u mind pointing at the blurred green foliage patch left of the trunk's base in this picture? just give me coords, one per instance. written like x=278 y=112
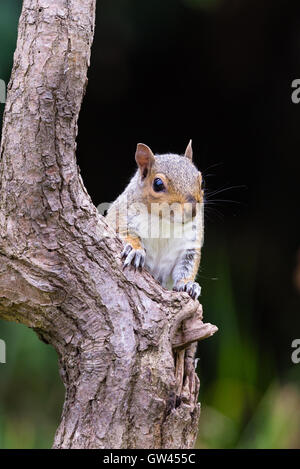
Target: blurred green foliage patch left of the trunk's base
x=31 y=392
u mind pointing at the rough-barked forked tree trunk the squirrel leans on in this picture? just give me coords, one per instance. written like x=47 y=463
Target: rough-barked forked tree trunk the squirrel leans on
x=60 y=272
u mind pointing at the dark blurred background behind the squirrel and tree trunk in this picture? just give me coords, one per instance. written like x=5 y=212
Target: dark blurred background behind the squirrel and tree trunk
x=219 y=72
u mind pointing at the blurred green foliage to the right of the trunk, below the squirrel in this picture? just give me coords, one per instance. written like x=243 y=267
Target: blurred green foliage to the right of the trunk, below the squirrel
x=246 y=403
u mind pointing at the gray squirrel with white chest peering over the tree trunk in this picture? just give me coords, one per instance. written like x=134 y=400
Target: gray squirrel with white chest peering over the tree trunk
x=160 y=218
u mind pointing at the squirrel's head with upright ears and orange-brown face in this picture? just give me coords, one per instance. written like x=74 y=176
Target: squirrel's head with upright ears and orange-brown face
x=168 y=178
